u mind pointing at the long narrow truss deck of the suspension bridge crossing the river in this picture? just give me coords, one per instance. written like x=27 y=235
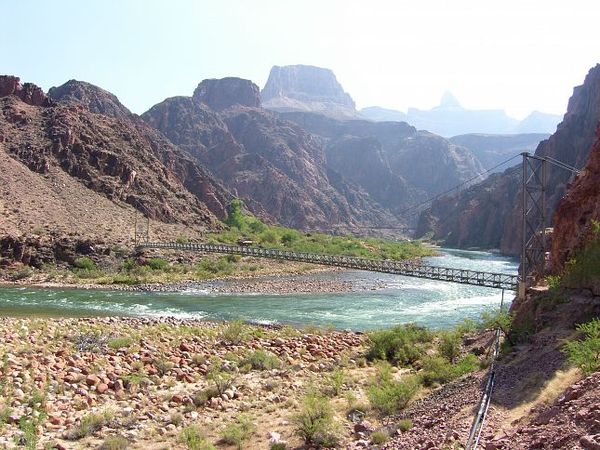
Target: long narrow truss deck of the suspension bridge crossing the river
x=406 y=268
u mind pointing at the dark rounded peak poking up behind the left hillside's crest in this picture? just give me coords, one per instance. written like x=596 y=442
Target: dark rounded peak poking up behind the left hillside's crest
x=93 y=98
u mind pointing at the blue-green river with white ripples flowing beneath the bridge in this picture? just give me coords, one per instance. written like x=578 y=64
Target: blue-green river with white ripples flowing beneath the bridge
x=400 y=300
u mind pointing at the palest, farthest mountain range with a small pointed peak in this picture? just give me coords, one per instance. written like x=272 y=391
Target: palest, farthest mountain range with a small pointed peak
x=451 y=119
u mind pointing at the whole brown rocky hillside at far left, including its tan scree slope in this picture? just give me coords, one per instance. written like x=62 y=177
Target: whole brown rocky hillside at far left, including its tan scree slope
x=71 y=175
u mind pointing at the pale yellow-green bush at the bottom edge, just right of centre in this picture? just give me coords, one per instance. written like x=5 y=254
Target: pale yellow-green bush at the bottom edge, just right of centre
x=315 y=423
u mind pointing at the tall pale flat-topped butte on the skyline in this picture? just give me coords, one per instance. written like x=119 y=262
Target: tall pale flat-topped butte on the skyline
x=307 y=88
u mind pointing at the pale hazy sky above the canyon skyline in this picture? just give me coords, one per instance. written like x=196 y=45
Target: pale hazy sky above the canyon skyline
x=517 y=55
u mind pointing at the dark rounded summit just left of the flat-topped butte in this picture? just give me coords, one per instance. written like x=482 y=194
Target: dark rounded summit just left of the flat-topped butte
x=219 y=94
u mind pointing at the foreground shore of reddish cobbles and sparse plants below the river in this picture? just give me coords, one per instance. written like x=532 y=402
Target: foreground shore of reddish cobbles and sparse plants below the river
x=145 y=380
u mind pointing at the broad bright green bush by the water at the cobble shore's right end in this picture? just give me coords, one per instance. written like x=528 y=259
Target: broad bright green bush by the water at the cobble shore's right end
x=403 y=344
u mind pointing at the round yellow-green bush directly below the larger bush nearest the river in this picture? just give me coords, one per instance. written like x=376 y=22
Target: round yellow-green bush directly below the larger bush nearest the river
x=388 y=396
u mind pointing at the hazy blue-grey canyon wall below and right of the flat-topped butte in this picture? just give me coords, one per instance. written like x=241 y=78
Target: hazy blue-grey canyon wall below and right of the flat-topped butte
x=392 y=161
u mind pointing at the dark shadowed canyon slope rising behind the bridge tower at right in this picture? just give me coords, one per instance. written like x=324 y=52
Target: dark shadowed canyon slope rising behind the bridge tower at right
x=489 y=213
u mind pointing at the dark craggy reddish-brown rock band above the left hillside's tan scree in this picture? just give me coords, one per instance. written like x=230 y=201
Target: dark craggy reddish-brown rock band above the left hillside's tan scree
x=126 y=161
